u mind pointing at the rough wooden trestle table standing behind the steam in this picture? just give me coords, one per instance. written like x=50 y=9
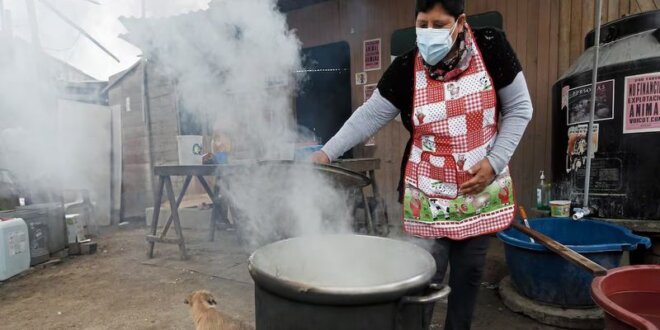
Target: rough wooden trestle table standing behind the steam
x=366 y=166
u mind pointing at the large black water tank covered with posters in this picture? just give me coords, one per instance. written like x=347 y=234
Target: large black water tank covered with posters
x=625 y=178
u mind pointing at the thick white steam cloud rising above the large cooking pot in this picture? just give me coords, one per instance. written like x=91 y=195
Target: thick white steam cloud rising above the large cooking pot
x=237 y=70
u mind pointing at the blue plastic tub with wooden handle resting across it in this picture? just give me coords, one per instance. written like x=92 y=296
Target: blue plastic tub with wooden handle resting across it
x=544 y=276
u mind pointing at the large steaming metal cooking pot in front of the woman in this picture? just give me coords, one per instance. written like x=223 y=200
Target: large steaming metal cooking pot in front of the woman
x=343 y=282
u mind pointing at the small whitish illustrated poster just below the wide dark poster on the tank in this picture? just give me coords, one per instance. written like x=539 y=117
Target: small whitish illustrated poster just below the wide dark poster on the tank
x=576 y=153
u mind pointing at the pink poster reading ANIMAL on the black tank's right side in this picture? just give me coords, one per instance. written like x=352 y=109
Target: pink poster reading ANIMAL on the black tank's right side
x=642 y=103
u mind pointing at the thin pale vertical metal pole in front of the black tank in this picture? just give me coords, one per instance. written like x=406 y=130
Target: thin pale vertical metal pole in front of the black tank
x=592 y=105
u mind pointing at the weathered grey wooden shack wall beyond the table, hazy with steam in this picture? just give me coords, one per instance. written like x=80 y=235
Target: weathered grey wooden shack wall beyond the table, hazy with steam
x=137 y=183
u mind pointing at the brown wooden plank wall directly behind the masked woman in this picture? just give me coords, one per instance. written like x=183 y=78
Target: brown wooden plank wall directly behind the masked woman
x=548 y=35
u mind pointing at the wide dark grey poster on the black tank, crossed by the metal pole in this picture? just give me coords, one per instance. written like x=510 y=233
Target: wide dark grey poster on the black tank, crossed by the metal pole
x=579 y=99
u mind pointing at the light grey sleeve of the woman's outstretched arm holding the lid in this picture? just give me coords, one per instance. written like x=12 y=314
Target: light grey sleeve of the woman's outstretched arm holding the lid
x=364 y=123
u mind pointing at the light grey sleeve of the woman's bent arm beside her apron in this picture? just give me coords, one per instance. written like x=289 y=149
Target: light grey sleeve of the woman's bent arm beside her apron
x=516 y=112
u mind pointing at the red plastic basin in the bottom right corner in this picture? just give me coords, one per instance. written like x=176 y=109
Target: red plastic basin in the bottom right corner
x=630 y=297
